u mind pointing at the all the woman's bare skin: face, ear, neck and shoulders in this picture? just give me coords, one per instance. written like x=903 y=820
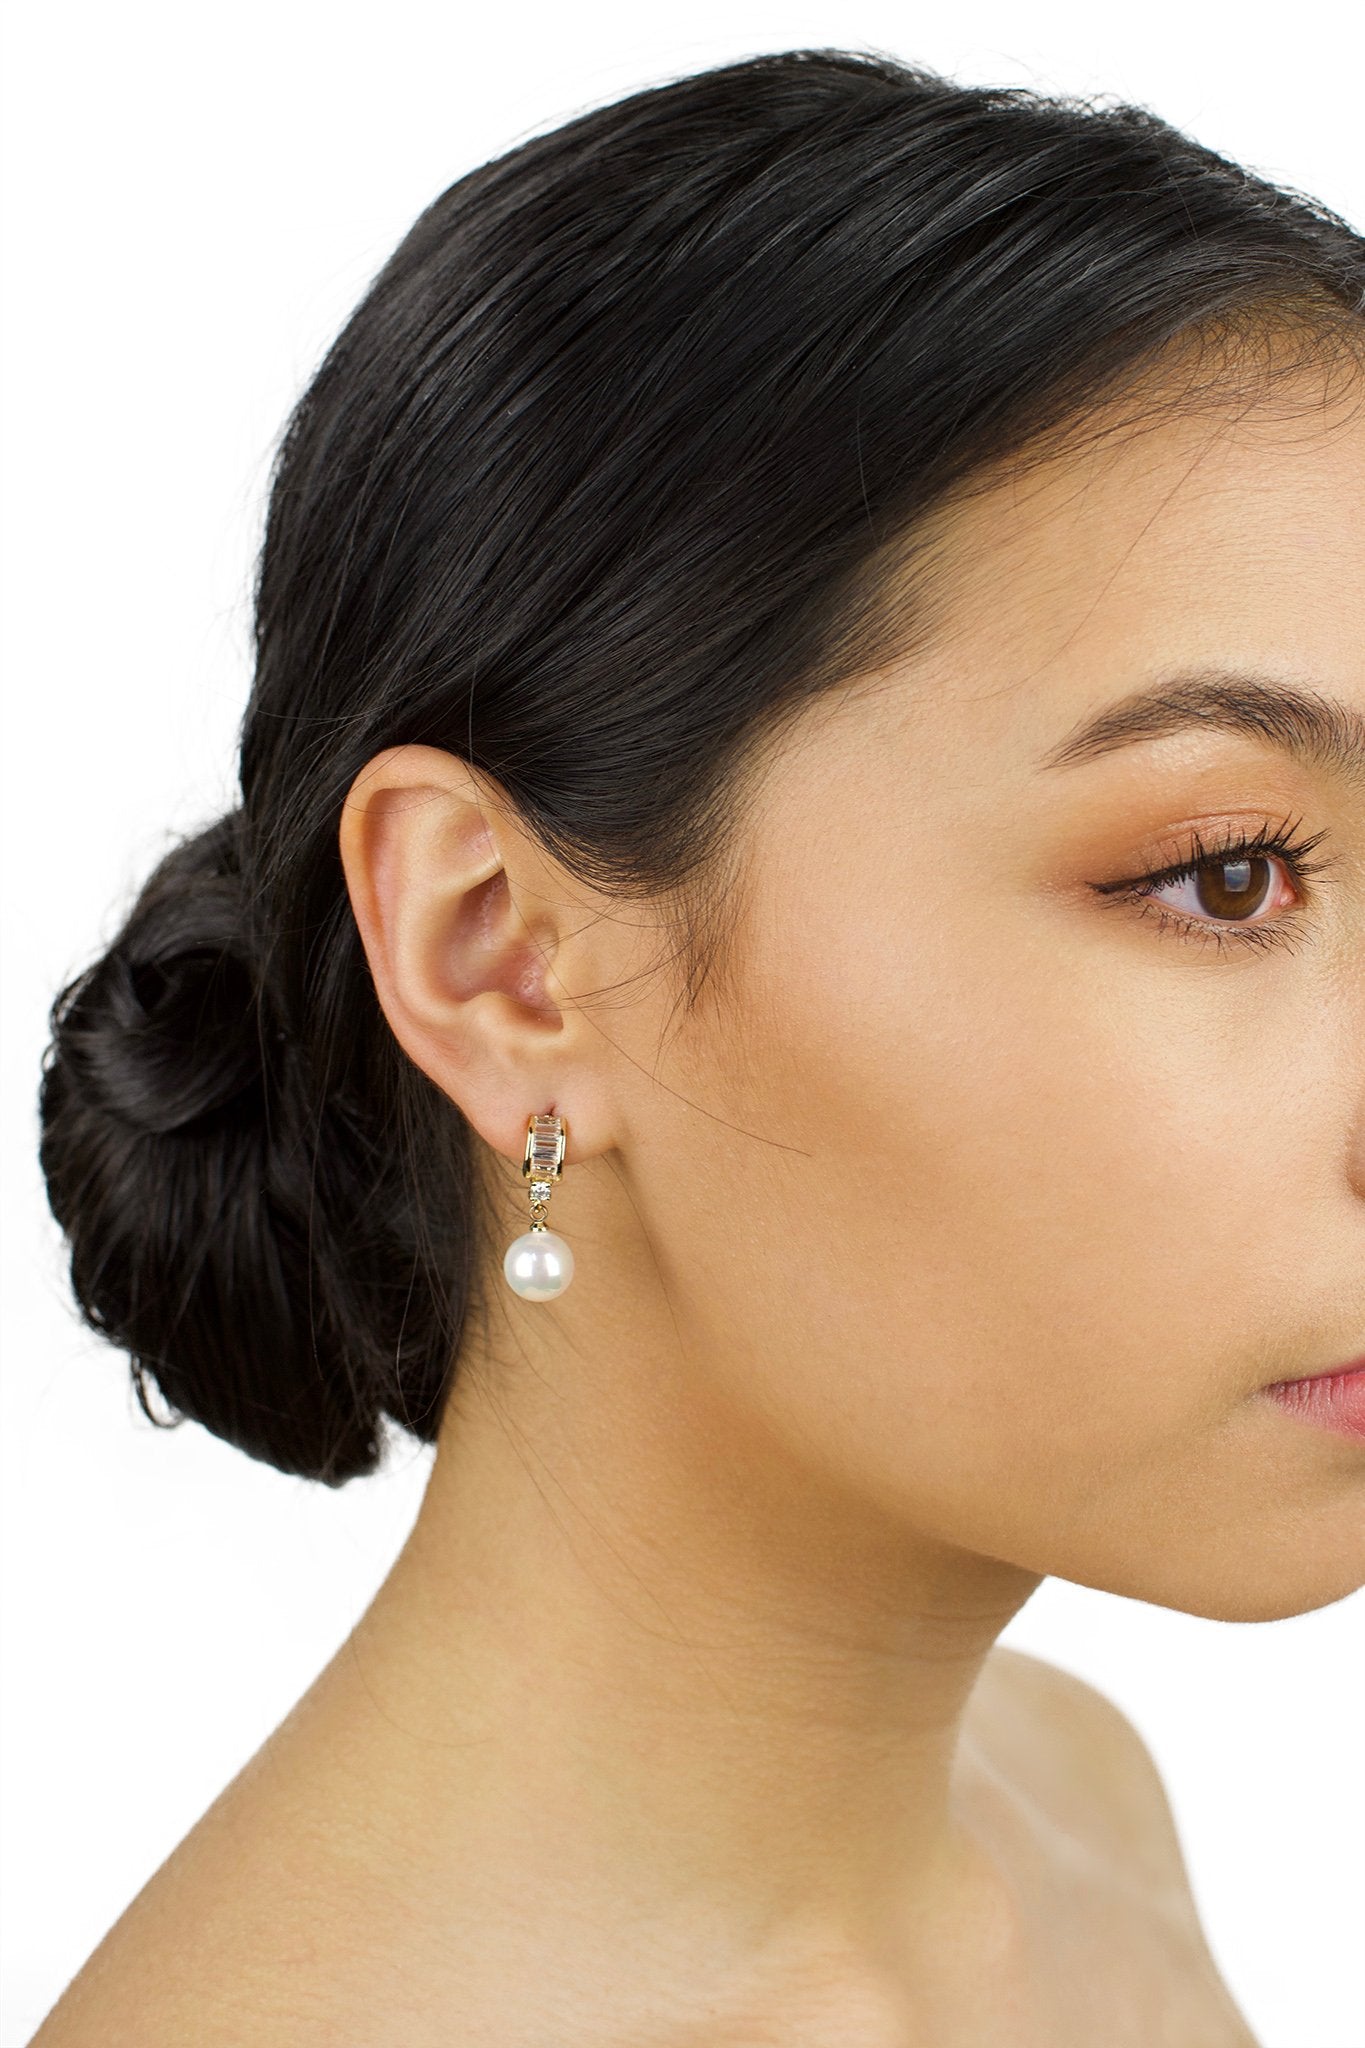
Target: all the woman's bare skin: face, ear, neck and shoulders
x=951 y=1248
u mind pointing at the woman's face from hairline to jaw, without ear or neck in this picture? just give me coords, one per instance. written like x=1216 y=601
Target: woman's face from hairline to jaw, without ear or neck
x=1006 y=1191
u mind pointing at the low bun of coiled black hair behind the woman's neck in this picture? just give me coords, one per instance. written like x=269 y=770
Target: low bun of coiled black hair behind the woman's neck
x=234 y=1228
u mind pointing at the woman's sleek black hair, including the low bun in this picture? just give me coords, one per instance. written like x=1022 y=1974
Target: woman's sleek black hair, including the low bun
x=623 y=458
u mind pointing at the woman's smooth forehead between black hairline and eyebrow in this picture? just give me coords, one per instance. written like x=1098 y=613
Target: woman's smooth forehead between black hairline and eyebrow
x=1231 y=534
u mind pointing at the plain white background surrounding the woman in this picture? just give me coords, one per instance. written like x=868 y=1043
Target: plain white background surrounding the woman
x=195 y=200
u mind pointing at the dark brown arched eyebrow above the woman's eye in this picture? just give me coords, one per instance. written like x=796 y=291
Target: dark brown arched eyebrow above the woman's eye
x=1313 y=728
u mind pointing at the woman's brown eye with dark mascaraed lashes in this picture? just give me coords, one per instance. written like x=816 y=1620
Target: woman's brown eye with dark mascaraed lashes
x=1229 y=894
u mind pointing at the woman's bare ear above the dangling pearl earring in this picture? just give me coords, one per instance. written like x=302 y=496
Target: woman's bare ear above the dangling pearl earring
x=470 y=929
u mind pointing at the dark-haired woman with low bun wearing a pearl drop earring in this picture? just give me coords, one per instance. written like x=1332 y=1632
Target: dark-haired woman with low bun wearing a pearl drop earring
x=785 y=988
